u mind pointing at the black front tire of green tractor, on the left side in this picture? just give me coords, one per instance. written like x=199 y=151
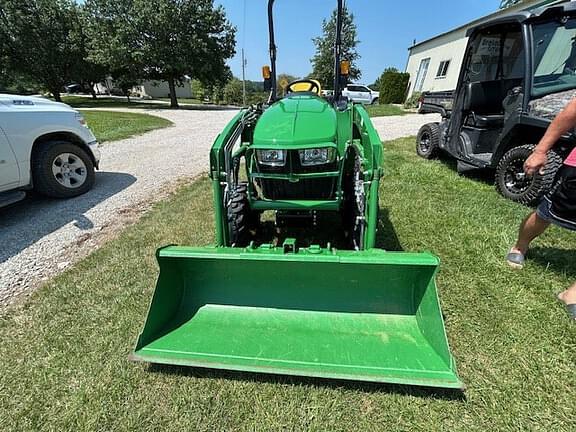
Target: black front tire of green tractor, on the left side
x=242 y=221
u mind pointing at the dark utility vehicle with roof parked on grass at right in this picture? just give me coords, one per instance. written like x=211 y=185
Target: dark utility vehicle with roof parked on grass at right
x=519 y=71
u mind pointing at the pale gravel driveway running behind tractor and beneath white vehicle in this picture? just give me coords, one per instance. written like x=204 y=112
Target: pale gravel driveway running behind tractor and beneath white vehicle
x=41 y=237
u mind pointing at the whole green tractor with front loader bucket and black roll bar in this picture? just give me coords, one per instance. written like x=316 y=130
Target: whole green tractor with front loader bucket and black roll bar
x=297 y=307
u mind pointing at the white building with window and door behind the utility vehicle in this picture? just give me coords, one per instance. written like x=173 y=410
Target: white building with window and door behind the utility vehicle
x=434 y=65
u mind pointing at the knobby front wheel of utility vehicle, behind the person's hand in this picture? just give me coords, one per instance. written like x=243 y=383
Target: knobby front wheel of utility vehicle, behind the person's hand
x=514 y=184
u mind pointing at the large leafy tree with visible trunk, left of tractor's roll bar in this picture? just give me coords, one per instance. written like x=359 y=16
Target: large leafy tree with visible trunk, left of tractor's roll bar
x=163 y=40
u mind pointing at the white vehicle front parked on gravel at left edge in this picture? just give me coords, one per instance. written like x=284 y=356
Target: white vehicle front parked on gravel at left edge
x=45 y=146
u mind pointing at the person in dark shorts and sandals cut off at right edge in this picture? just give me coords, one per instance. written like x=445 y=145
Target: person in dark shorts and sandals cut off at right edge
x=557 y=207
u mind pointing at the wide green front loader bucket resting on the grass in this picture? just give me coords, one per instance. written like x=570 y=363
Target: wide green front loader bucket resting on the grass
x=366 y=316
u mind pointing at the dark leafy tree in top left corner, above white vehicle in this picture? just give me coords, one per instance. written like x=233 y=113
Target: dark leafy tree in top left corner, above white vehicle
x=40 y=41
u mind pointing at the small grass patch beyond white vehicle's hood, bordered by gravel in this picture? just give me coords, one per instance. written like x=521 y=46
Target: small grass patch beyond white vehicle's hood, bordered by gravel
x=114 y=125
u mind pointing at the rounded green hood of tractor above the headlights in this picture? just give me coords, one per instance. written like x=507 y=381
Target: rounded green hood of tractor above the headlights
x=299 y=121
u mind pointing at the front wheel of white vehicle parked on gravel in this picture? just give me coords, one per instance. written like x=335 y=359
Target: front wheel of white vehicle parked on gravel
x=61 y=169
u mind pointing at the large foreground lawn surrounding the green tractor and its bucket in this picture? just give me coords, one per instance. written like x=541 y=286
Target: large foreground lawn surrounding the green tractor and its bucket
x=64 y=353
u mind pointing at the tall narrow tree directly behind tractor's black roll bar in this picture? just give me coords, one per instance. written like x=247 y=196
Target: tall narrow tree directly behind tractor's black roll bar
x=323 y=60
